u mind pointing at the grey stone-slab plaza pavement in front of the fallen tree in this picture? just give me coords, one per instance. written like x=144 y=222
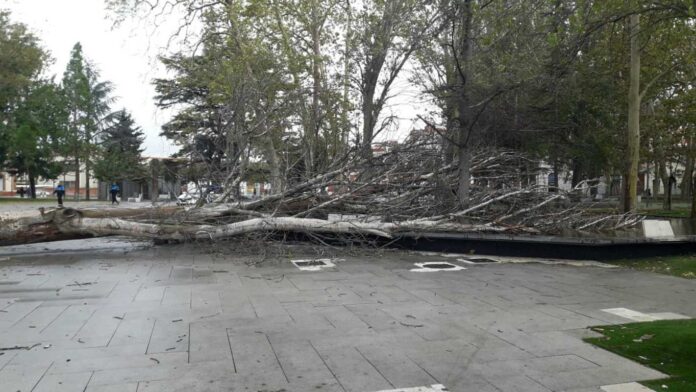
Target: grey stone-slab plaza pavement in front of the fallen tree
x=182 y=318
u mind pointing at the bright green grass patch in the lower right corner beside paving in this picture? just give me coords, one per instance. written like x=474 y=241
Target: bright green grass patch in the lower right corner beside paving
x=667 y=346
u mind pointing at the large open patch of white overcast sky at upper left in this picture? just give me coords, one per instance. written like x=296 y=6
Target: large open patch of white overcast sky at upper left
x=126 y=56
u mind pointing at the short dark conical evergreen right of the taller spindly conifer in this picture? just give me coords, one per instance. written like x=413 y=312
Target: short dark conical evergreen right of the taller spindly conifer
x=120 y=151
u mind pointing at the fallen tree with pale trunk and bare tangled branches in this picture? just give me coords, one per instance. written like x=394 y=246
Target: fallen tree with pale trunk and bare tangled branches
x=407 y=190
